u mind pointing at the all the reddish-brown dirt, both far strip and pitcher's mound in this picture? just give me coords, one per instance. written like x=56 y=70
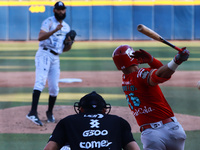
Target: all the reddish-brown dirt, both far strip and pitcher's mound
x=13 y=120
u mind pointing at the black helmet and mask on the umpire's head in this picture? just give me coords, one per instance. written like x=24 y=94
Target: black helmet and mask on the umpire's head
x=92 y=103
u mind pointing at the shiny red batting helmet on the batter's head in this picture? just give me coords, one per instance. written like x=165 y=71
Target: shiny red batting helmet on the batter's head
x=121 y=57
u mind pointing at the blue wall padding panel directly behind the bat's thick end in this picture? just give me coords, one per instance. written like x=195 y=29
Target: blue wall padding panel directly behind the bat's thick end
x=142 y=15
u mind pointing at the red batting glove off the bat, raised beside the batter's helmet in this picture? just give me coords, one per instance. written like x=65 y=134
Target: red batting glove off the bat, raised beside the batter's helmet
x=142 y=56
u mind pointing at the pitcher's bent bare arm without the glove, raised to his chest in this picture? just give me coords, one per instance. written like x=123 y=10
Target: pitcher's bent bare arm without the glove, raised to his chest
x=43 y=35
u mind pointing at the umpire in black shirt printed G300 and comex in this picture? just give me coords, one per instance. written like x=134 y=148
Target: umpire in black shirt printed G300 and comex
x=92 y=128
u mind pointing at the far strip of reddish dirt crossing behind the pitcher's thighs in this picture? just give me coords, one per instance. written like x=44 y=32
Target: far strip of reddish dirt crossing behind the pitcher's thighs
x=94 y=79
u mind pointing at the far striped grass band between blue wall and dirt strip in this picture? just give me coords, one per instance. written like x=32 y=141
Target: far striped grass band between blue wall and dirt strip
x=89 y=56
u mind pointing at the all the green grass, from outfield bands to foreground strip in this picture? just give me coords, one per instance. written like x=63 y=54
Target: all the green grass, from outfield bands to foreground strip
x=92 y=56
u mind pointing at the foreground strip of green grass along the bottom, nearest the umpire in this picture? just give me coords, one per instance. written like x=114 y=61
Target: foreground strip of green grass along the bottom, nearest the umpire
x=38 y=141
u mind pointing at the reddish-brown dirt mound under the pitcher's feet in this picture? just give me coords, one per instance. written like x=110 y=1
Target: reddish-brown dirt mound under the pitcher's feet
x=13 y=120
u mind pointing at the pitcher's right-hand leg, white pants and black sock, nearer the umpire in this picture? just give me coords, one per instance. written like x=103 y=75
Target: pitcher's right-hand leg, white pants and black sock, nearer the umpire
x=53 y=78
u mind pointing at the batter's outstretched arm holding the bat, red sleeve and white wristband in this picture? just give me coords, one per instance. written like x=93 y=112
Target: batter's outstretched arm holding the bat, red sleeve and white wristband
x=164 y=73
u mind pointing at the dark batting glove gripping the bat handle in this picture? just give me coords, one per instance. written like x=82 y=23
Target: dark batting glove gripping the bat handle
x=181 y=56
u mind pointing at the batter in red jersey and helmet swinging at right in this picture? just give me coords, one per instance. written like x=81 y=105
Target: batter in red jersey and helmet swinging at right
x=160 y=128
